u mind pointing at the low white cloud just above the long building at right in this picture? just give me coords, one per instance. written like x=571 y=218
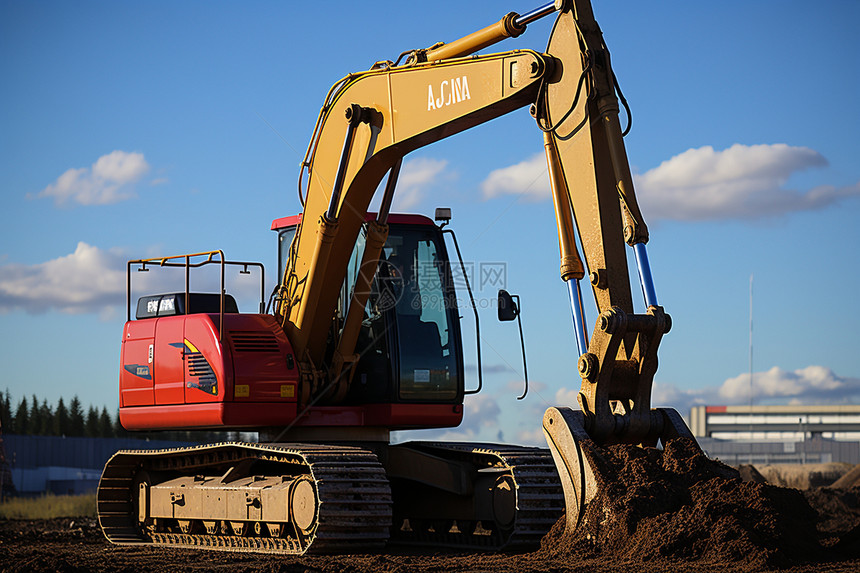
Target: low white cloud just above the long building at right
x=810 y=385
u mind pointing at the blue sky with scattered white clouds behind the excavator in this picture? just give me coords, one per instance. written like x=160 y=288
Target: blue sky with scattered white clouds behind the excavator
x=130 y=130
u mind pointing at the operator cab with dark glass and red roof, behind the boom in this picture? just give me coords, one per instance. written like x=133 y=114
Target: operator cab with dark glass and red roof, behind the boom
x=409 y=343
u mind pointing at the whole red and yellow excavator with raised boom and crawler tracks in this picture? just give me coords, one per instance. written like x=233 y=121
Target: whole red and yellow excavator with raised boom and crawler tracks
x=361 y=336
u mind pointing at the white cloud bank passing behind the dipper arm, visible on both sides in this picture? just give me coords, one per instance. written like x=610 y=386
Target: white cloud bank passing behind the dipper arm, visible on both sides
x=741 y=182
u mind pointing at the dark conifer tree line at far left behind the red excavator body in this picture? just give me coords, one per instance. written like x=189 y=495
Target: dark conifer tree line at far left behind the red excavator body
x=34 y=417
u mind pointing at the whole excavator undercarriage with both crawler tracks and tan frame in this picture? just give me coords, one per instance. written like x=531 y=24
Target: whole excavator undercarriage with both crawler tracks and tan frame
x=299 y=498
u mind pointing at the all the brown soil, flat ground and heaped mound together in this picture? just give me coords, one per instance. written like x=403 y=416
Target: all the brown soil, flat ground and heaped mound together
x=662 y=511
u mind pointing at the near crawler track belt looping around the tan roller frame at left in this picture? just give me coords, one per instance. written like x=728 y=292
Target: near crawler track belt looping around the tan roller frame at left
x=353 y=498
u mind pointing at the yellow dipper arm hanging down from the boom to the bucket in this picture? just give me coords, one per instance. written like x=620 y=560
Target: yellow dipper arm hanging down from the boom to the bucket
x=579 y=114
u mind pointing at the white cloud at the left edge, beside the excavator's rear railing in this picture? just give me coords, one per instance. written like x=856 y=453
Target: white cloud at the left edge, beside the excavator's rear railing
x=87 y=280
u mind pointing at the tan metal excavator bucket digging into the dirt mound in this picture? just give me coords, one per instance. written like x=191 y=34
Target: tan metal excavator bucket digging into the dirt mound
x=577 y=457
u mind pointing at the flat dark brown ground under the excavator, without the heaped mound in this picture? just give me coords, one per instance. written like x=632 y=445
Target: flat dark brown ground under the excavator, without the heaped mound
x=66 y=545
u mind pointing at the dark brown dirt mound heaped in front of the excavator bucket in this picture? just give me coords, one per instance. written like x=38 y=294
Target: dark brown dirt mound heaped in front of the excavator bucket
x=679 y=505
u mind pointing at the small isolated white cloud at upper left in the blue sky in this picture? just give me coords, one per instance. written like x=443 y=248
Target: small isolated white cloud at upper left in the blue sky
x=109 y=180
